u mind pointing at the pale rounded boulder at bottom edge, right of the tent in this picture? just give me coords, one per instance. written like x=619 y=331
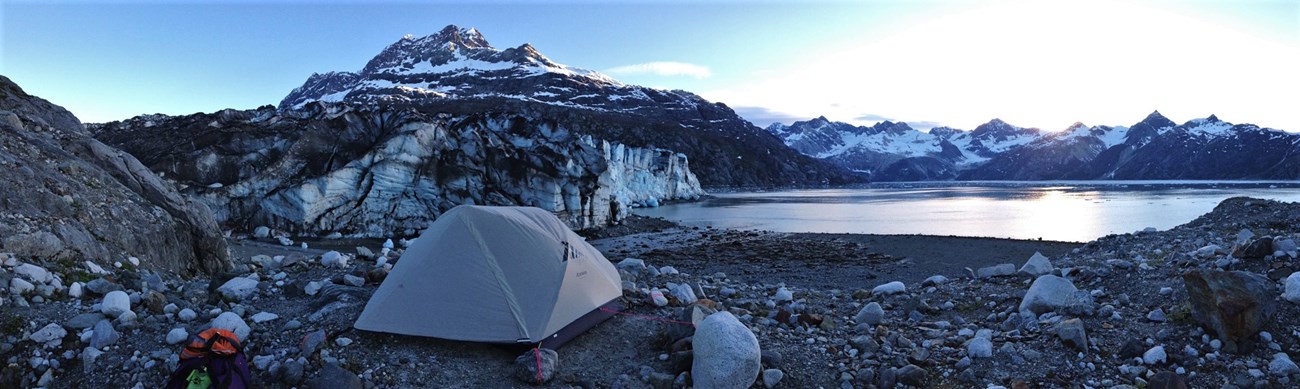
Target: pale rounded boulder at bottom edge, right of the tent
x=726 y=353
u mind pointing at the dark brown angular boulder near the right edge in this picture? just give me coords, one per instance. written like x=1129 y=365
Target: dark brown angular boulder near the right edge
x=1234 y=305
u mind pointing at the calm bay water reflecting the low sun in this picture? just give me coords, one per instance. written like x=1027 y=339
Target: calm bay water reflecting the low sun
x=1058 y=211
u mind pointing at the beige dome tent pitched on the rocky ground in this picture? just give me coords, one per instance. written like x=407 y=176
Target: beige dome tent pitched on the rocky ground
x=502 y=275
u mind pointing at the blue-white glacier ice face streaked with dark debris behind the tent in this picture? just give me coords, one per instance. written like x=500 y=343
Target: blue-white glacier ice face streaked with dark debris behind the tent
x=378 y=174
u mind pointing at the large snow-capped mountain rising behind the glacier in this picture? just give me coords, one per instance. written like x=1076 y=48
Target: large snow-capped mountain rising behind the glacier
x=458 y=72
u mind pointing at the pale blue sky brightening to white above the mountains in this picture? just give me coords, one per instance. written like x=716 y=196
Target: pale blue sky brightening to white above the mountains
x=1042 y=64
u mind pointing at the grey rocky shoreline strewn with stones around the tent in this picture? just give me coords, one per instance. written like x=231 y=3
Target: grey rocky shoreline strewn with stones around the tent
x=848 y=312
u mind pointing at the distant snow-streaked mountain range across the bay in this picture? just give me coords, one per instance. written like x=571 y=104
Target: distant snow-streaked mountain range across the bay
x=1154 y=149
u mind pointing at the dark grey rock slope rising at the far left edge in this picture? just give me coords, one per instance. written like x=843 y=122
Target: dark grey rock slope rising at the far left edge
x=71 y=198
